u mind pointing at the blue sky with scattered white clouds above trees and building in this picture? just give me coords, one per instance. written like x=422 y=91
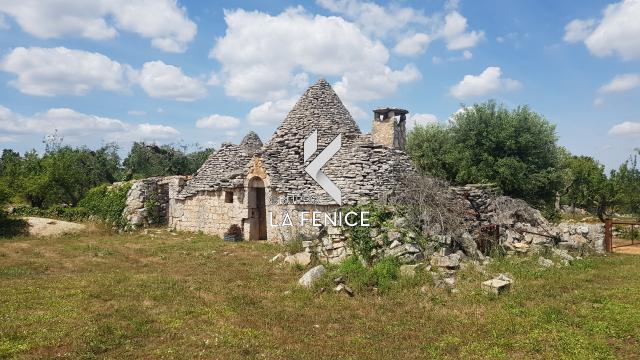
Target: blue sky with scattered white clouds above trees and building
x=209 y=71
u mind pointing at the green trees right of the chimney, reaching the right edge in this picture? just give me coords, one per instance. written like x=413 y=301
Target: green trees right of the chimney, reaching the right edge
x=518 y=151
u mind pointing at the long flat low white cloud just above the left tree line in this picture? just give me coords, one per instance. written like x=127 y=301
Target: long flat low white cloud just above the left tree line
x=71 y=122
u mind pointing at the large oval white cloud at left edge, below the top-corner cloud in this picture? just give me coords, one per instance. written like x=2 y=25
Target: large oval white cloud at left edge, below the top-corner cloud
x=60 y=71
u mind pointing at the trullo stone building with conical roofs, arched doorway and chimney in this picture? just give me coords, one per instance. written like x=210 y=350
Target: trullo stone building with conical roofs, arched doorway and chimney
x=256 y=186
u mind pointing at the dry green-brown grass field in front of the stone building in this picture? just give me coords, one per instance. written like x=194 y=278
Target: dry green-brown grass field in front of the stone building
x=180 y=296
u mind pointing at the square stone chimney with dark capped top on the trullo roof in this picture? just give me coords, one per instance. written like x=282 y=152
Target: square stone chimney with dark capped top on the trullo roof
x=389 y=127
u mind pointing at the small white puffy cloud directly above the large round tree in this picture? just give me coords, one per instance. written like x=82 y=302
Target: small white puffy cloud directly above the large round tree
x=489 y=81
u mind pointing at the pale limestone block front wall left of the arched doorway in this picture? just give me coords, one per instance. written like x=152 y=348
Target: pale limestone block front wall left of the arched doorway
x=210 y=212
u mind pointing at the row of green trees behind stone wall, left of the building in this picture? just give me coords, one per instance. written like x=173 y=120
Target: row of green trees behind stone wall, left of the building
x=63 y=174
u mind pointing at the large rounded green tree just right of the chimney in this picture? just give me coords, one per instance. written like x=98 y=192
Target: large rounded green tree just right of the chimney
x=487 y=143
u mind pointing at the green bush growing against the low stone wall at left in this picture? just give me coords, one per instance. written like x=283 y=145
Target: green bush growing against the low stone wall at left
x=107 y=203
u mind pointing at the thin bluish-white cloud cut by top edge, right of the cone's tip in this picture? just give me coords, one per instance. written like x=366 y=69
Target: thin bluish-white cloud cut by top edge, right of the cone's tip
x=373 y=18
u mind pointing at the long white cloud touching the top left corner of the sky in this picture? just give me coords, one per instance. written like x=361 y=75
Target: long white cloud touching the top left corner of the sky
x=162 y=21
